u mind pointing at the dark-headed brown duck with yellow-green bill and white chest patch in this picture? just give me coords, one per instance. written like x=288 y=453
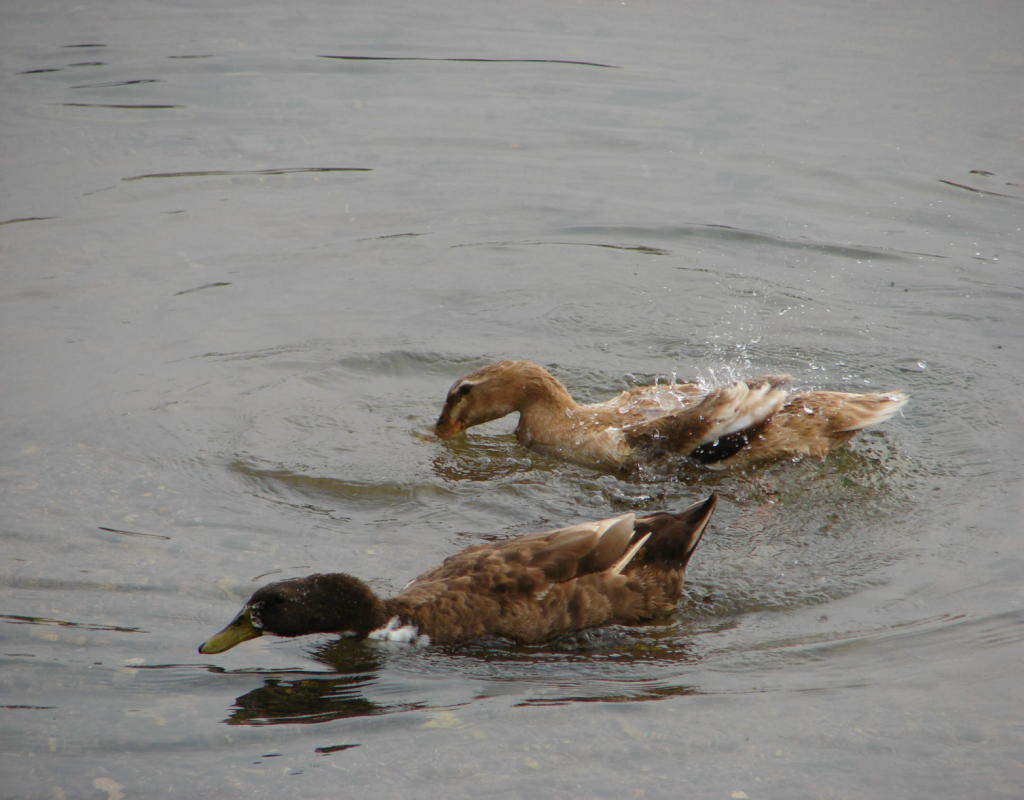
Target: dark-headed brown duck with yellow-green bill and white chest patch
x=625 y=570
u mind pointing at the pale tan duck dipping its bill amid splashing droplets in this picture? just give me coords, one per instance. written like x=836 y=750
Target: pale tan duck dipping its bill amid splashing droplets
x=727 y=427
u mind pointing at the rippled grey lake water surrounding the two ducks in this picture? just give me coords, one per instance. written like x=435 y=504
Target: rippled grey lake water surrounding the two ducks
x=248 y=247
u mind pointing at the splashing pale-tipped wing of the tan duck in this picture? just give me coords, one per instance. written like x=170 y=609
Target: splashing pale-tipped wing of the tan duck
x=724 y=411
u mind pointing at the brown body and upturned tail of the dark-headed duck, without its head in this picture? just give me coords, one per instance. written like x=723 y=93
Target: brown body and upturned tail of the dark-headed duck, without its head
x=541 y=585
